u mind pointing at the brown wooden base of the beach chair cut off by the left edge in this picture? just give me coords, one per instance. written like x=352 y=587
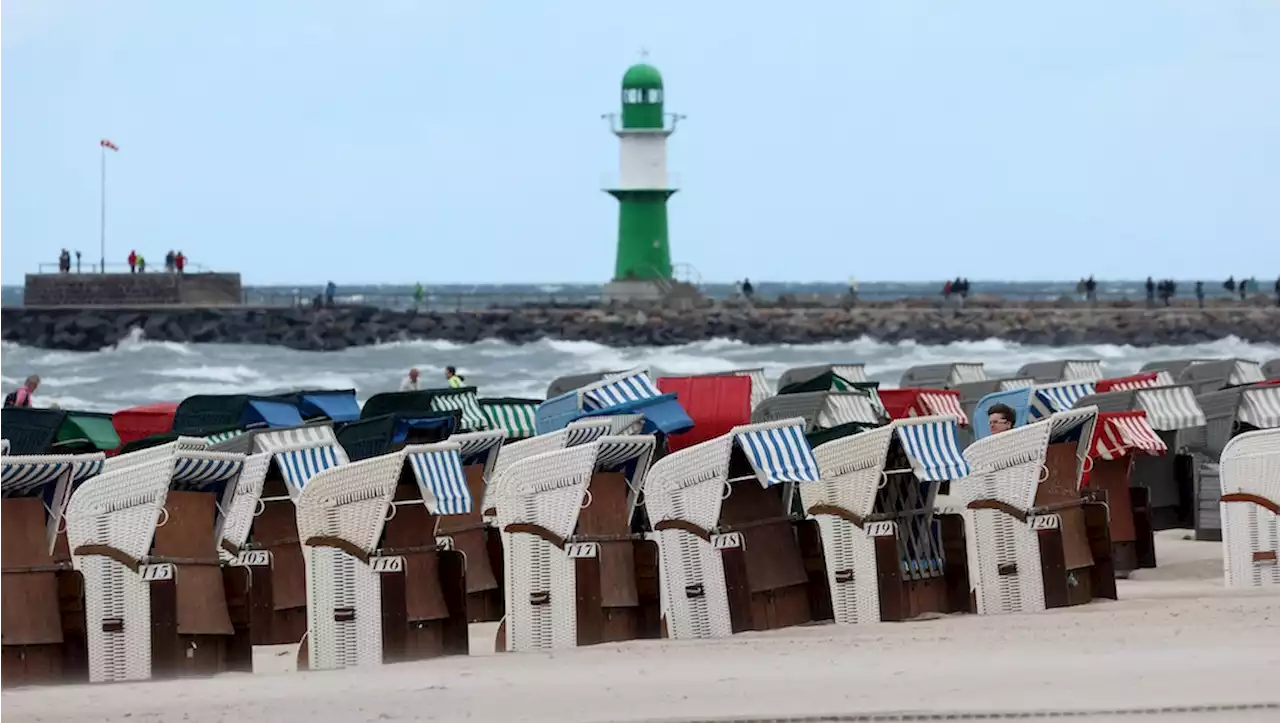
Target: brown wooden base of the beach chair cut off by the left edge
x=42 y=603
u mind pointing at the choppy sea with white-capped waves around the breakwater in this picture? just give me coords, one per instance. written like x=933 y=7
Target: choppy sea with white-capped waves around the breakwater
x=141 y=372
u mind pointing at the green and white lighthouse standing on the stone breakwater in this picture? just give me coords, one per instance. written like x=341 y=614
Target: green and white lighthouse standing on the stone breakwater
x=643 y=268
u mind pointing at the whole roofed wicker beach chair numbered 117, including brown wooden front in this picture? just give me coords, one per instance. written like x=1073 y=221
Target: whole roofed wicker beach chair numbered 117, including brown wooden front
x=577 y=573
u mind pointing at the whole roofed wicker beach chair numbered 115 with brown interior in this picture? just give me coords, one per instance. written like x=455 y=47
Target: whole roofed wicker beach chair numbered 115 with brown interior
x=145 y=537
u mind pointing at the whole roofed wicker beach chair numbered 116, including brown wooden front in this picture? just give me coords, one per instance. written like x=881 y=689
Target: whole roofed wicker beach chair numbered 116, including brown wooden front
x=381 y=587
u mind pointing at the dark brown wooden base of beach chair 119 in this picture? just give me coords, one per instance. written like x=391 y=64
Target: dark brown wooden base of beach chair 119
x=903 y=598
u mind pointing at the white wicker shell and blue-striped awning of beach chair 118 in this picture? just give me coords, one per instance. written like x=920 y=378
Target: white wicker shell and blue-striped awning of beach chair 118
x=683 y=496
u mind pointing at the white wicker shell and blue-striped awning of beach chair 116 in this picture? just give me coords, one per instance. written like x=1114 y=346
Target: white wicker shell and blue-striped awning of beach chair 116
x=342 y=512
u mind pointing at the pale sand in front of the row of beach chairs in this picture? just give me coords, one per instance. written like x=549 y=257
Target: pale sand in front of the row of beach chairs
x=1177 y=638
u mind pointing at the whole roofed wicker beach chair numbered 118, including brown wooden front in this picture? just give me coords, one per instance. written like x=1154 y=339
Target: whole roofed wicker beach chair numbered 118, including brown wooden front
x=732 y=555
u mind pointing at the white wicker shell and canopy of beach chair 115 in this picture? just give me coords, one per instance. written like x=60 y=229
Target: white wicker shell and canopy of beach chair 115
x=112 y=523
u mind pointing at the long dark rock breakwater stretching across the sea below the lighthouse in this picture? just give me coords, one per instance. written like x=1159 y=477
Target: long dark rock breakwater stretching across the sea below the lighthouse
x=924 y=322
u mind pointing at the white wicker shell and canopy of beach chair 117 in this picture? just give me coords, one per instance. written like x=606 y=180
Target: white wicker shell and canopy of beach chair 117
x=540 y=515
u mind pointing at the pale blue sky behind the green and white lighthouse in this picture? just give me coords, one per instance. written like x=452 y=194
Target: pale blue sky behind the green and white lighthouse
x=401 y=141
